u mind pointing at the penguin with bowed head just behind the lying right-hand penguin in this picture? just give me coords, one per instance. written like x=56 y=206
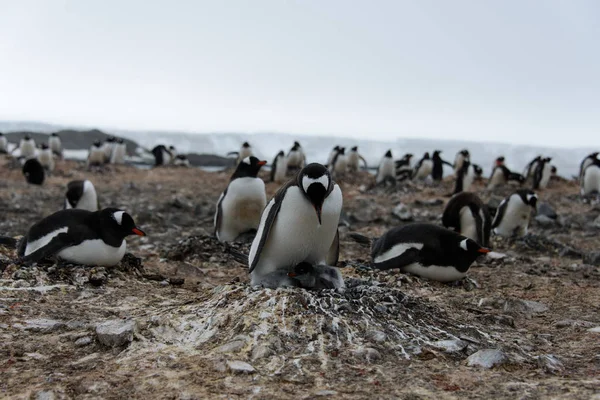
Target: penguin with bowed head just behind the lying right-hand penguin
x=466 y=214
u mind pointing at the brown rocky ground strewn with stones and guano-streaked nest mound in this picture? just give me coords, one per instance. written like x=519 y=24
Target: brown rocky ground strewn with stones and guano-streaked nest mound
x=177 y=319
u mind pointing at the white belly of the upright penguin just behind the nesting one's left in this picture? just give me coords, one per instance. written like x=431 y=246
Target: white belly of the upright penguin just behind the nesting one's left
x=241 y=208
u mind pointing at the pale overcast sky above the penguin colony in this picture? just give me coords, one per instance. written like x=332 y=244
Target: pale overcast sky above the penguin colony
x=511 y=71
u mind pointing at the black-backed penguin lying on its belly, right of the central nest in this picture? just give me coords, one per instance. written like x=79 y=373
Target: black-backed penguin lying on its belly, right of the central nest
x=426 y=250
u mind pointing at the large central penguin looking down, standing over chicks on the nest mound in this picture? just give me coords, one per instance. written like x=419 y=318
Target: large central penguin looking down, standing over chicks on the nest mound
x=300 y=223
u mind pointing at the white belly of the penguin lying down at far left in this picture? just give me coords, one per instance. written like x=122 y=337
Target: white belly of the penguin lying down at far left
x=94 y=252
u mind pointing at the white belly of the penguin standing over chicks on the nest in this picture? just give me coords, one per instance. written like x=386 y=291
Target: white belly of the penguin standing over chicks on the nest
x=296 y=235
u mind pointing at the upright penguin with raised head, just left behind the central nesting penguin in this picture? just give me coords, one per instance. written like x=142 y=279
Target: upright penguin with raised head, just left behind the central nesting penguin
x=240 y=206
